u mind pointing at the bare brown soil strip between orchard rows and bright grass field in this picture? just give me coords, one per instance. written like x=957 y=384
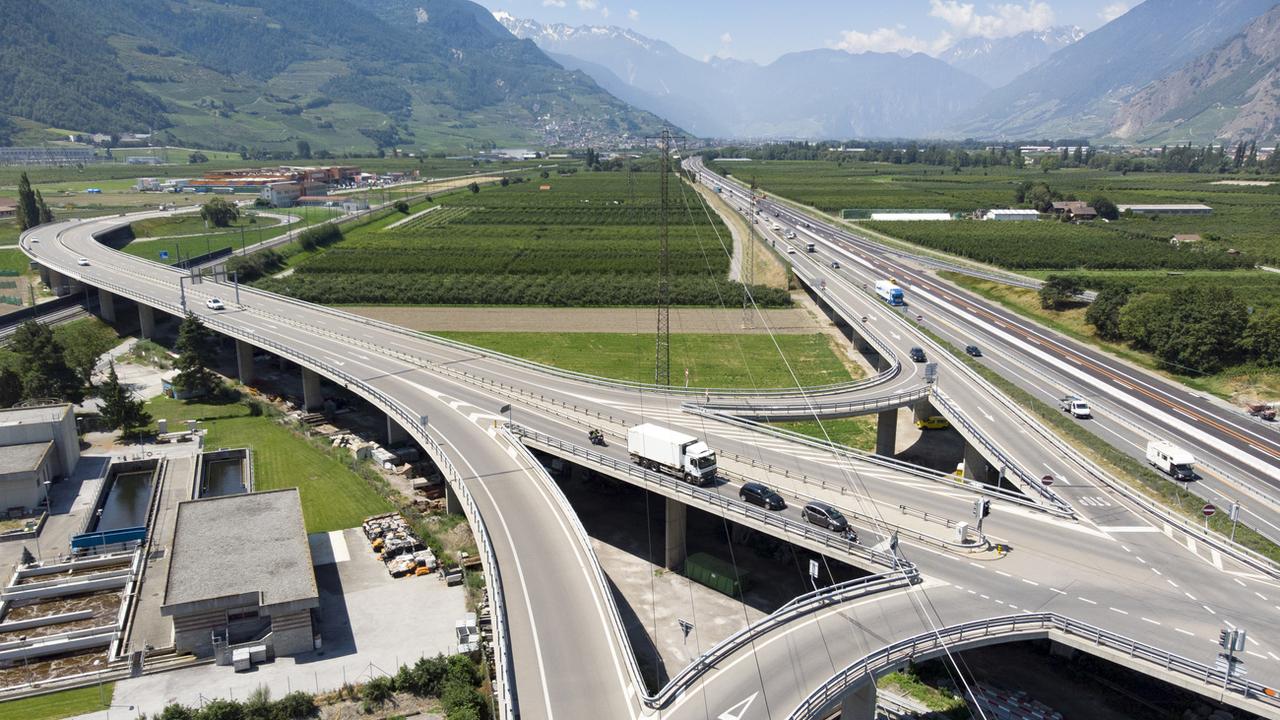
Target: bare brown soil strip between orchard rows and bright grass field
x=589 y=320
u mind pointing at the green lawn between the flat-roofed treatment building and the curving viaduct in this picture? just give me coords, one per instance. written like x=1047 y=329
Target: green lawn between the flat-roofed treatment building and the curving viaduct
x=333 y=496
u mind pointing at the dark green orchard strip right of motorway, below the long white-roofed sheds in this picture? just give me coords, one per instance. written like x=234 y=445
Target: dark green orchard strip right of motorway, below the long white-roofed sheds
x=1052 y=245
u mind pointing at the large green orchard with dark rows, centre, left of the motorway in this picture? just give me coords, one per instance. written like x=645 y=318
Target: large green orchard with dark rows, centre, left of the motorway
x=591 y=240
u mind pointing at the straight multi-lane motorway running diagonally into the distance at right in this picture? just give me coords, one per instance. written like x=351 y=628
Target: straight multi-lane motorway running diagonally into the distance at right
x=1238 y=457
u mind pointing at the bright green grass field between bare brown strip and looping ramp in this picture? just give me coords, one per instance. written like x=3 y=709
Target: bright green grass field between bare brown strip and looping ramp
x=714 y=361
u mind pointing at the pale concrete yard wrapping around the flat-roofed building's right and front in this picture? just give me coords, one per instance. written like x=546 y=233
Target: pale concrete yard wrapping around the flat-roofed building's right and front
x=371 y=625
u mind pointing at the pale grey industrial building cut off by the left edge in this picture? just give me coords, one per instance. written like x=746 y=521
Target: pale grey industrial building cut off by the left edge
x=36 y=445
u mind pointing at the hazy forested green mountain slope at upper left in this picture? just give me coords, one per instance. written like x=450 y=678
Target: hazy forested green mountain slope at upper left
x=267 y=74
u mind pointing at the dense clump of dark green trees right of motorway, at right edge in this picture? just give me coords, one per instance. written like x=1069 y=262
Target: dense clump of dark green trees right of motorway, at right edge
x=1197 y=330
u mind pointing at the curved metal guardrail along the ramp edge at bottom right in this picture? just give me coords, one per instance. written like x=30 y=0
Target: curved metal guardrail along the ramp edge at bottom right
x=853 y=677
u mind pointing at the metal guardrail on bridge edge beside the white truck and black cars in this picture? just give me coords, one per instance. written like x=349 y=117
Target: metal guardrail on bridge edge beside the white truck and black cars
x=785 y=526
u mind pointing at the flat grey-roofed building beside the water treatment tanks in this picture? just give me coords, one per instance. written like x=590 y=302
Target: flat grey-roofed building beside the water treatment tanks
x=241 y=576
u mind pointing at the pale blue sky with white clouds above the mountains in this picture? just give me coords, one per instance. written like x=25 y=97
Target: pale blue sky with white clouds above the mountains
x=762 y=31
